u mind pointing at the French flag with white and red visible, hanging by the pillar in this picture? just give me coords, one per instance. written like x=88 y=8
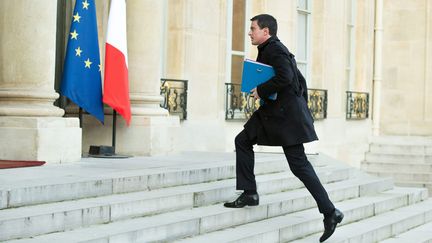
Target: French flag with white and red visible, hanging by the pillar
x=116 y=84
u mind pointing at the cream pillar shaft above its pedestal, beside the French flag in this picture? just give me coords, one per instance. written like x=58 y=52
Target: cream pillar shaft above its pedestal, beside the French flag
x=145 y=49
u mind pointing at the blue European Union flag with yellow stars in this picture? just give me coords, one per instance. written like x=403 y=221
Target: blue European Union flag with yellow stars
x=81 y=81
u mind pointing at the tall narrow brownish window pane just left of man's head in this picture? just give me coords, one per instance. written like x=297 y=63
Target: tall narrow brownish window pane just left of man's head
x=238 y=28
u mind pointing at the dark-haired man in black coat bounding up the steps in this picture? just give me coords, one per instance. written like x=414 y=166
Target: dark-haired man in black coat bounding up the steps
x=285 y=122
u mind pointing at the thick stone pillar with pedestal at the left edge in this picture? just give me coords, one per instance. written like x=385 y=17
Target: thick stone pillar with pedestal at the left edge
x=31 y=127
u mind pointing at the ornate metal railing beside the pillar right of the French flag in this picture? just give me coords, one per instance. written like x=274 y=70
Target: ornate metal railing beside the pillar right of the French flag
x=174 y=92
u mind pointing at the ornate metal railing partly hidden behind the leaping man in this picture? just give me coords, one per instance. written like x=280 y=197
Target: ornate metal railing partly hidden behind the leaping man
x=240 y=105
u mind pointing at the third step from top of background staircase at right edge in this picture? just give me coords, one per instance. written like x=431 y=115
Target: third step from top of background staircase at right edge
x=397 y=158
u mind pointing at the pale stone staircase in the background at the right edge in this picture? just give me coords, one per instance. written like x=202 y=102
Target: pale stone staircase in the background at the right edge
x=408 y=160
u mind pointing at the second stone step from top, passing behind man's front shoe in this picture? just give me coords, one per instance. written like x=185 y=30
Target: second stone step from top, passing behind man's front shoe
x=53 y=217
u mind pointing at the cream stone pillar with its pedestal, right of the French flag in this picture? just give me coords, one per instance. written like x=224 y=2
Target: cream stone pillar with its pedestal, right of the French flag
x=151 y=129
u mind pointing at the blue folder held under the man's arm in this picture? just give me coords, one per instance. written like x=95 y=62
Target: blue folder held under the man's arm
x=254 y=74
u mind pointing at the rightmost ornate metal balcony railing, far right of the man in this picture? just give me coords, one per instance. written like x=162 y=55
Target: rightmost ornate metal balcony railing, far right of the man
x=357 y=105
